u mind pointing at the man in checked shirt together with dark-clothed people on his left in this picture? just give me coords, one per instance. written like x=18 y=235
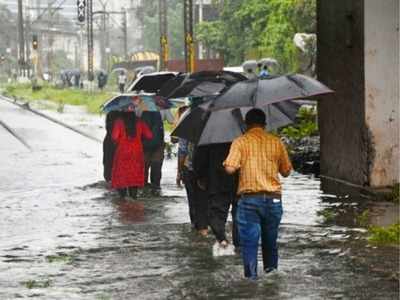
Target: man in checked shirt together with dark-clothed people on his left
x=242 y=176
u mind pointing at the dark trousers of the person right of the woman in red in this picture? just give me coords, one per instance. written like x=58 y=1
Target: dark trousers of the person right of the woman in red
x=153 y=166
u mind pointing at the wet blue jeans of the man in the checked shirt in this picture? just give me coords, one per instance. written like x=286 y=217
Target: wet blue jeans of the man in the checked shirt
x=258 y=216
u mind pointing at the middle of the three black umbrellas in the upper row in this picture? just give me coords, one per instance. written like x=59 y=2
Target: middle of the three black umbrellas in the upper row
x=199 y=84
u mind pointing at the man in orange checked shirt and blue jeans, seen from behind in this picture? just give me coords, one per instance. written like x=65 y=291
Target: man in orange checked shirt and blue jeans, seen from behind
x=259 y=157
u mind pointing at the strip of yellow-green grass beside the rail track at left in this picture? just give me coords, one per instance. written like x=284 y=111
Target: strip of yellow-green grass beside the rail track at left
x=71 y=96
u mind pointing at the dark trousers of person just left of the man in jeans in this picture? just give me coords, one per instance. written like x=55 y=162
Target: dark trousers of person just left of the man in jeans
x=219 y=209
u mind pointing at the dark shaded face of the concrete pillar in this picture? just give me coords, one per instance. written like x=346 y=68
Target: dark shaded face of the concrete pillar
x=340 y=64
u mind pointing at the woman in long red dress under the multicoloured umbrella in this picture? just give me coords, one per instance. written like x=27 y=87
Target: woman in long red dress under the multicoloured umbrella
x=128 y=165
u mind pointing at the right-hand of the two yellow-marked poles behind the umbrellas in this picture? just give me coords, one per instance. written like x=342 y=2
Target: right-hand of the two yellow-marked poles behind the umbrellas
x=188 y=29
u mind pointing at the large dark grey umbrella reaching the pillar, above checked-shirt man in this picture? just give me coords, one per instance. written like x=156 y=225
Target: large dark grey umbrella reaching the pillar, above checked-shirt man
x=261 y=92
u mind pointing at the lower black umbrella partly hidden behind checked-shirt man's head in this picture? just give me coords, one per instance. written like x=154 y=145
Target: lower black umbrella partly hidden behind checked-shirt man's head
x=203 y=127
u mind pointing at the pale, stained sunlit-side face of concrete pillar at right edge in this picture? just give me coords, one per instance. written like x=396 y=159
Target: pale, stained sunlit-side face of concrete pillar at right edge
x=382 y=88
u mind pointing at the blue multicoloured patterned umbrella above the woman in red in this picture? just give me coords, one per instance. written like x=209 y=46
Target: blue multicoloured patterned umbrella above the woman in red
x=142 y=102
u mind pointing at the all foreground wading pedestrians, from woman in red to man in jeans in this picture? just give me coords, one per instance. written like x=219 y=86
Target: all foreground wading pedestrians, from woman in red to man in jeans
x=241 y=177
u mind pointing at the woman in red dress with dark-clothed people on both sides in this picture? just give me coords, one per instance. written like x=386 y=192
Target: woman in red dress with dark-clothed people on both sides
x=133 y=151
